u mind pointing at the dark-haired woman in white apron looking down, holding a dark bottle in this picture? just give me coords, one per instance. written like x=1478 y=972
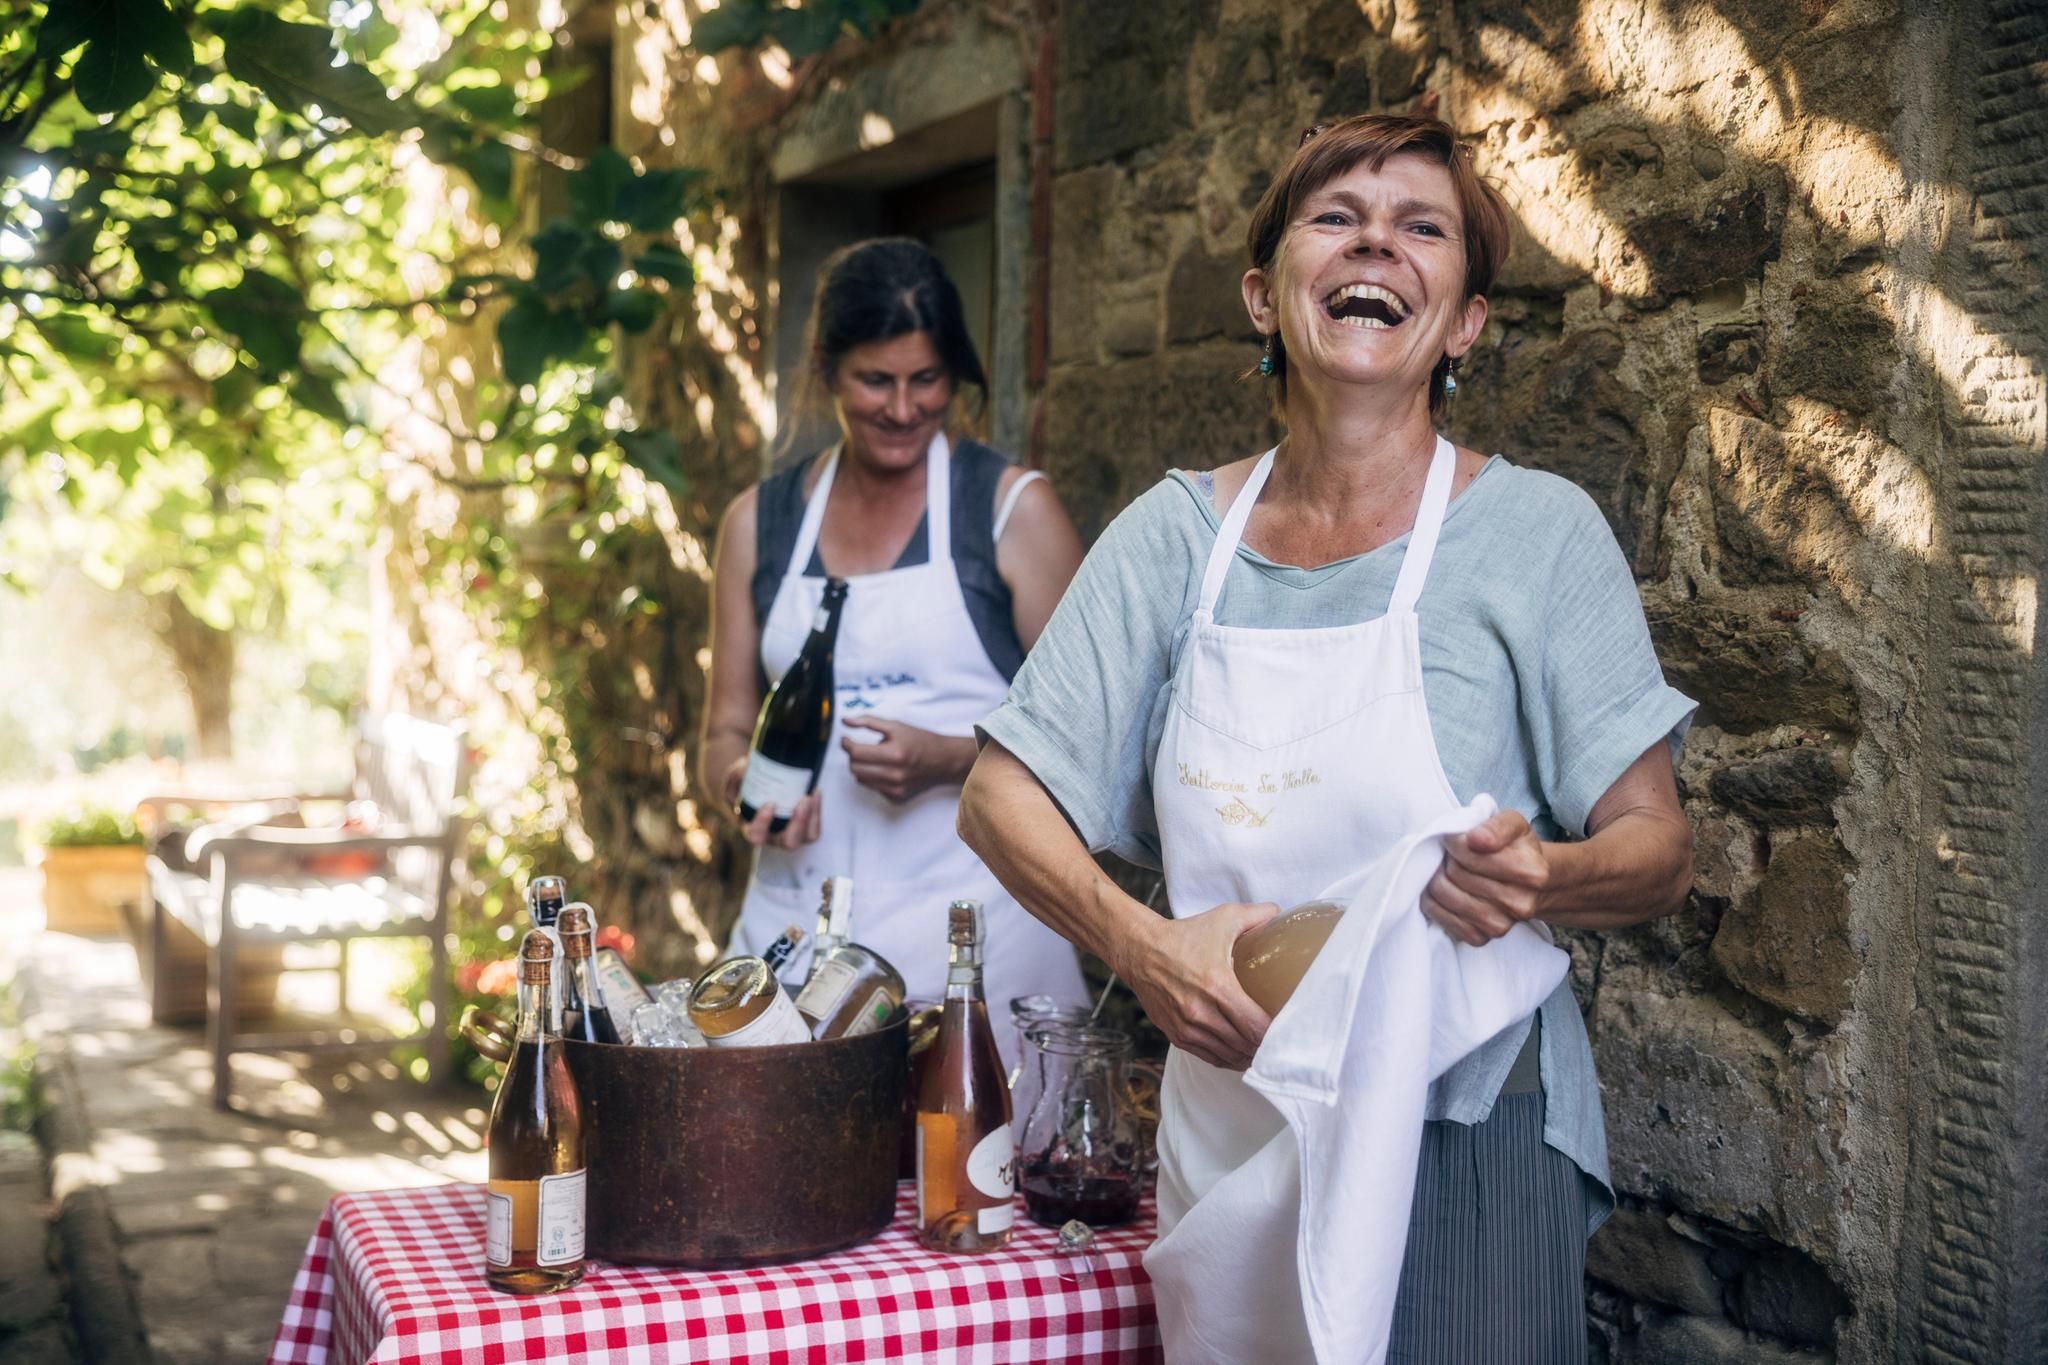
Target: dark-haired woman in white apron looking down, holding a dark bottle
x=955 y=560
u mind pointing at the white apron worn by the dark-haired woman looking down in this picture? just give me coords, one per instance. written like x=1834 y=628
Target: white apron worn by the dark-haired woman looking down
x=908 y=652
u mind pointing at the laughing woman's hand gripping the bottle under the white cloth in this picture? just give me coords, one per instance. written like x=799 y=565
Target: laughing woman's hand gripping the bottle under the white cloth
x=1187 y=981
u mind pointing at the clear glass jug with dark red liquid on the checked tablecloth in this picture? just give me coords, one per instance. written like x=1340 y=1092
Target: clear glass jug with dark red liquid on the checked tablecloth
x=1080 y=1155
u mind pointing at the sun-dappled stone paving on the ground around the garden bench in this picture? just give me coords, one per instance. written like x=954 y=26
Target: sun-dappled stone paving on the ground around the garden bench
x=212 y=1210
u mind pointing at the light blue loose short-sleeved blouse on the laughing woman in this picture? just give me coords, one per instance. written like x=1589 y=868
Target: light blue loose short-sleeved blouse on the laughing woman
x=1539 y=676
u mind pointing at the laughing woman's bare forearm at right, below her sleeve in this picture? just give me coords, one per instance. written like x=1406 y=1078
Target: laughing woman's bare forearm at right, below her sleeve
x=1635 y=869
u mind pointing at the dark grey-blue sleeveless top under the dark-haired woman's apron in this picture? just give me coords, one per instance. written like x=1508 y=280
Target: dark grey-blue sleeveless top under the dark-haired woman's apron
x=976 y=474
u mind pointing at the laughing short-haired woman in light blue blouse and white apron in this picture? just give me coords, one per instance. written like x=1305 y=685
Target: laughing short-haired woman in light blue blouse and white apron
x=1375 y=662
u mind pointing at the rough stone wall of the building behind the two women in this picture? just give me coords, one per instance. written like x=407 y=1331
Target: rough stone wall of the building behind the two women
x=1777 y=306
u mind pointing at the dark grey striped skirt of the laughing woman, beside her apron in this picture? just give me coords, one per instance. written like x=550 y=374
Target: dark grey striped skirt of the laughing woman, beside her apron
x=1496 y=1256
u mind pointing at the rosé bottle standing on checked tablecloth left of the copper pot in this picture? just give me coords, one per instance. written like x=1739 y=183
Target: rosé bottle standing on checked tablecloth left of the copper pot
x=534 y=1225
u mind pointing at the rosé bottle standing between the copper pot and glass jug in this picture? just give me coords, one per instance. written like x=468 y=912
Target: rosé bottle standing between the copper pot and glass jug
x=966 y=1149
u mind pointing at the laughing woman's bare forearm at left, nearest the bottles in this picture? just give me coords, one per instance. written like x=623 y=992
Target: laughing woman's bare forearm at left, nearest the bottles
x=1021 y=834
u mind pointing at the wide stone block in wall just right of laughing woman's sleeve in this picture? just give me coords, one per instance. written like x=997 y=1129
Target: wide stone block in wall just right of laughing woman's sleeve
x=1748 y=670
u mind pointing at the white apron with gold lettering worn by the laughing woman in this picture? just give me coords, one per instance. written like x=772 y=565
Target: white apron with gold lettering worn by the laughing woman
x=1299 y=764
